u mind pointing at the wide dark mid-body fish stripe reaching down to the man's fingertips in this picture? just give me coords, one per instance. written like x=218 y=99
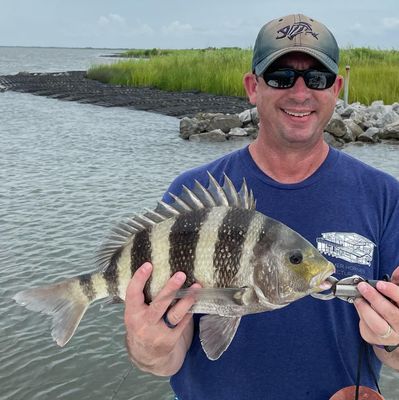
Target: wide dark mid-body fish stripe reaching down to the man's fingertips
x=183 y=238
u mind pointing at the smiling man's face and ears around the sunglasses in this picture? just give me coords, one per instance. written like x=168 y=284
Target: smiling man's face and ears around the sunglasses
x=296 y=116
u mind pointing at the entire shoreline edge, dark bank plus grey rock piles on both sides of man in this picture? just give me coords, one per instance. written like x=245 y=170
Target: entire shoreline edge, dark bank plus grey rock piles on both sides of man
x=204 y=116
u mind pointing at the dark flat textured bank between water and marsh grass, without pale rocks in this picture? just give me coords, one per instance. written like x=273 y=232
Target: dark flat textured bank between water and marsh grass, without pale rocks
x=74 y=86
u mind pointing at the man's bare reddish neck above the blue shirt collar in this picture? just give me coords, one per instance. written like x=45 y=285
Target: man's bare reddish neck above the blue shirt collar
x=288 y=165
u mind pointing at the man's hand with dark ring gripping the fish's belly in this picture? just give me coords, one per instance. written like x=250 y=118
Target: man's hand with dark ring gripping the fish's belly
x=152 y=345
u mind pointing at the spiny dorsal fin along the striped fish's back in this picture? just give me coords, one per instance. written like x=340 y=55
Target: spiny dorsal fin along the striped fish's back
x=189 y=200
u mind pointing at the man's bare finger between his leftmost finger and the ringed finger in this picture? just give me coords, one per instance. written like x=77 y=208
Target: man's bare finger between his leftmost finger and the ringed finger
x=162 y=301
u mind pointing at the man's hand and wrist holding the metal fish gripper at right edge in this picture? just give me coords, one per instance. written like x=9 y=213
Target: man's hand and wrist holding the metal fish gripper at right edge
x=379 y=317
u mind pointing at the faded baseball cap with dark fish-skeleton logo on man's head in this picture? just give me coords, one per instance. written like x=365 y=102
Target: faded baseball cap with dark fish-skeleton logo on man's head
x=295 y=32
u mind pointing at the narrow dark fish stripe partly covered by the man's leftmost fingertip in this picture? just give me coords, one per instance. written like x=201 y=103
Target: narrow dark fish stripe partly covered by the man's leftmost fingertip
x=141 y=252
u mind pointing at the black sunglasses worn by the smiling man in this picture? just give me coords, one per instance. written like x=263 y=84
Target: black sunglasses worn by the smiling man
x=285 y=78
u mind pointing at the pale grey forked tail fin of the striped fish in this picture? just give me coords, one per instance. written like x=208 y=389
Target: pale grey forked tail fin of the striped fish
x=65 y=302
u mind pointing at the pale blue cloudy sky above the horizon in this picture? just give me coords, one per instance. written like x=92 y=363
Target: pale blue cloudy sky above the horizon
x=185 y=23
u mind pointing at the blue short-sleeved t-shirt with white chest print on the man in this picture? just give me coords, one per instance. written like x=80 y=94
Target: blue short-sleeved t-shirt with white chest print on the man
x=309 y=349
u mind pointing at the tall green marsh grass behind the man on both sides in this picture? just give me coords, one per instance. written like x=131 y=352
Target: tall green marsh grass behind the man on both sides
x=374 y=74
